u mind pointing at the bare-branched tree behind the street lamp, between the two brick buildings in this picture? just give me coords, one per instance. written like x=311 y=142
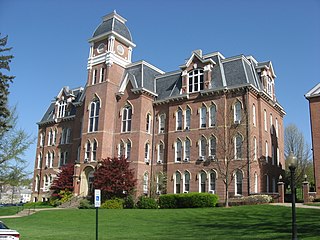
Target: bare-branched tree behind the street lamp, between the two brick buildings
x=294 y=142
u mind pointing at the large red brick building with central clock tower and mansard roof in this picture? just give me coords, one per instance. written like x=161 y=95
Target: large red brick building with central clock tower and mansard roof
x=181 y=126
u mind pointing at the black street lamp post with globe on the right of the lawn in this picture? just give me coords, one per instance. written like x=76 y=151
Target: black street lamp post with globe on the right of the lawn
x=292 y=163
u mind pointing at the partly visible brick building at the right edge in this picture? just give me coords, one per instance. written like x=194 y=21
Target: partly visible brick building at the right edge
x=314 y=105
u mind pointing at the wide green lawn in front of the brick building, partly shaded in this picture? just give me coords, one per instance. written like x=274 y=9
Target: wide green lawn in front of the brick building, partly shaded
x=243 y=222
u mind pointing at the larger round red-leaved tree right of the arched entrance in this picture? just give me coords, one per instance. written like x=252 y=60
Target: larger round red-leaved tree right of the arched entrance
x=114 y=178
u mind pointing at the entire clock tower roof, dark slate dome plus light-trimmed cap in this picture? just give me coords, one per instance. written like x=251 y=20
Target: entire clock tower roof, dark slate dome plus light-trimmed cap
x=113 y=22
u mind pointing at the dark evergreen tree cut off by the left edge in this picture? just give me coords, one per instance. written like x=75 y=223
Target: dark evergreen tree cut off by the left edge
x=5 y=80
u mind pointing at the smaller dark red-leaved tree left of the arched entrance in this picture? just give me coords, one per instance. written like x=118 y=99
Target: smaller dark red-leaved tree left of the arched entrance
x=63 y=181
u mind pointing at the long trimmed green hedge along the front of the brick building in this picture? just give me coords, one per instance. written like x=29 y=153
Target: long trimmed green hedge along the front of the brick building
x=188 y=200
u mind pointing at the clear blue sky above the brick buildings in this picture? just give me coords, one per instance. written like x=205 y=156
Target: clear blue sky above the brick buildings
x=49 y=40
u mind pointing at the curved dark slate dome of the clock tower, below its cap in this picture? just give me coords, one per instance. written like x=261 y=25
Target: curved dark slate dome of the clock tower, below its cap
x=113 y=24
